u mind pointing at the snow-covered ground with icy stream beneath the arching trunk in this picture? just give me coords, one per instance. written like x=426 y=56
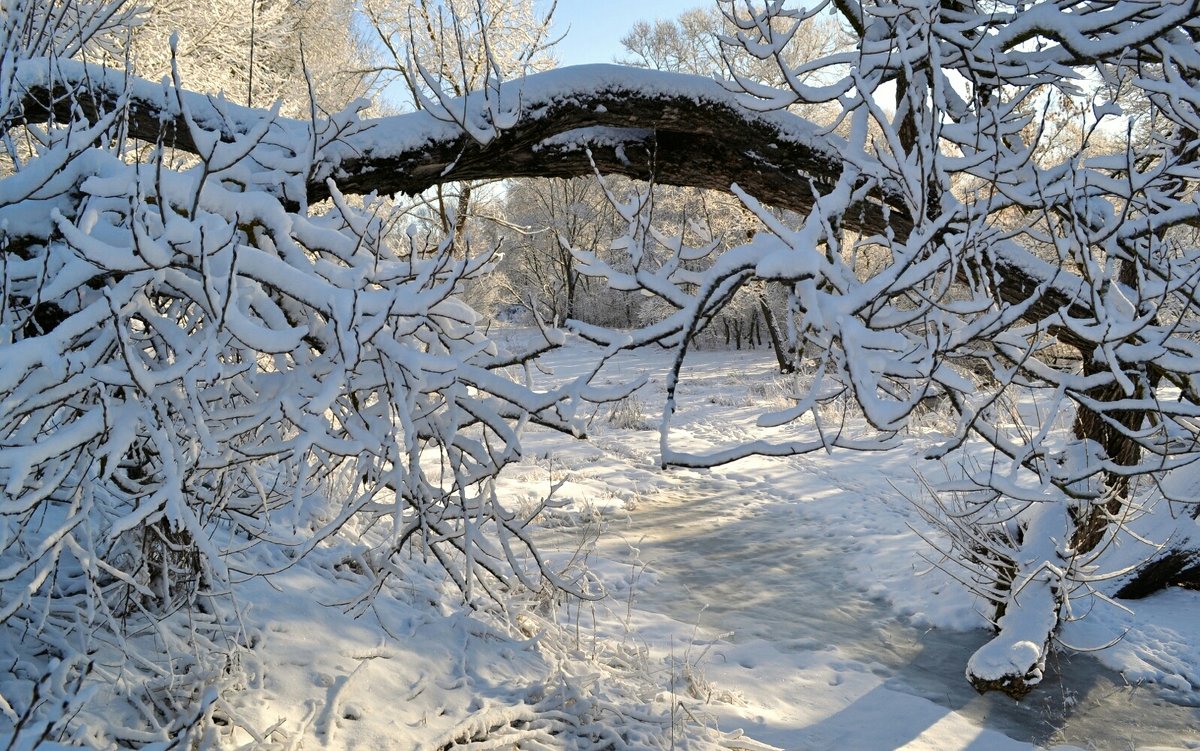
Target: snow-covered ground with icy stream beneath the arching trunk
x=765 y=604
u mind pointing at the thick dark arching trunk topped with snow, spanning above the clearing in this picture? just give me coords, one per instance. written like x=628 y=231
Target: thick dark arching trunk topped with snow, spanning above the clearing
x=679 y=130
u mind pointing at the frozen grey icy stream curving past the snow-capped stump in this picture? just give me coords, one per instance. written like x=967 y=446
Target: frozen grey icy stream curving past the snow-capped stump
x=772 y=574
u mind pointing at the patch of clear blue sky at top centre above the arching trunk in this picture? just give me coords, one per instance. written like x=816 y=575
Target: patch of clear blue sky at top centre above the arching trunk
x=597 y=26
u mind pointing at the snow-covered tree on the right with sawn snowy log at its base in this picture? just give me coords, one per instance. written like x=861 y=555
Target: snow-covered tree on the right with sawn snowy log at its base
x=1000 y=250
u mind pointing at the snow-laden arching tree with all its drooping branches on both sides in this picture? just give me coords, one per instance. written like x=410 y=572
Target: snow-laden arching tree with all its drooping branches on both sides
x=193 y=357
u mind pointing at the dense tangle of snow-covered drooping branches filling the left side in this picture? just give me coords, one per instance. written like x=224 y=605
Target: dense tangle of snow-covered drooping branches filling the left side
x=193 y=369
